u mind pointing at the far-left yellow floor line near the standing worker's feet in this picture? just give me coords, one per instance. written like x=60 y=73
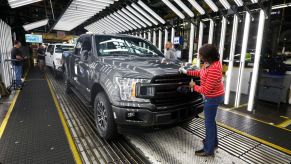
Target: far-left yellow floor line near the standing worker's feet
x=10 y=109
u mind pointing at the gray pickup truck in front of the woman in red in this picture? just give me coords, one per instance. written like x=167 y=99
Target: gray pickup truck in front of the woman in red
x=127 y=81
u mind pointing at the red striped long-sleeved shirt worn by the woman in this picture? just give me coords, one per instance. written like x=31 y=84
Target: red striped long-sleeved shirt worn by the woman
x=211 y=84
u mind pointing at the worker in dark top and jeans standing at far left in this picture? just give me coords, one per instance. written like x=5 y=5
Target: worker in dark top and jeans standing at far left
x=17 y=65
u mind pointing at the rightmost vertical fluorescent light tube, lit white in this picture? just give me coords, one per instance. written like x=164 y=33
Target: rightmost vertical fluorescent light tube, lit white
x=257 y=60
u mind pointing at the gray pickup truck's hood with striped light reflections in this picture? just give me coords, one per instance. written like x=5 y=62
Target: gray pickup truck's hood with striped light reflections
x=142 y=67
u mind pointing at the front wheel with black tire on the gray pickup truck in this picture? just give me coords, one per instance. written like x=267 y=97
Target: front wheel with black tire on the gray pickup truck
x=103 y=115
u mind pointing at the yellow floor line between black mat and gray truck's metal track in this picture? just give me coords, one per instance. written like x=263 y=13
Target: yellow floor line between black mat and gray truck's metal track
x=65 y=126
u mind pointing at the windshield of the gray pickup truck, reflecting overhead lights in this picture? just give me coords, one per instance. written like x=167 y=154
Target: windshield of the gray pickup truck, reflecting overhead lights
x=112 y=45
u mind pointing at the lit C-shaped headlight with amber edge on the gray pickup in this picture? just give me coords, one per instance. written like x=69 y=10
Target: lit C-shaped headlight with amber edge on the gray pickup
x=127 y=88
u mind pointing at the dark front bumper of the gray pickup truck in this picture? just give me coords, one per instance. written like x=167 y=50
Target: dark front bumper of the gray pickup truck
x=147 y=118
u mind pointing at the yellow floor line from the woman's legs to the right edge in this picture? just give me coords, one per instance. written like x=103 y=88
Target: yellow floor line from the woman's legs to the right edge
x=287 y=151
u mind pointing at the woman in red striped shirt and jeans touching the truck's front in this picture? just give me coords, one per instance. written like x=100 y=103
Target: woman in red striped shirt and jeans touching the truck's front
x=211 y=86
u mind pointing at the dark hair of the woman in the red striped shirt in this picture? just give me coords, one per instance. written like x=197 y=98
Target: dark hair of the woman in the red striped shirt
x=208 y=53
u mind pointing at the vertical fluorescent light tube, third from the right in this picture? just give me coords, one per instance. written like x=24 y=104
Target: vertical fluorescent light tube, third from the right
x=231 y=57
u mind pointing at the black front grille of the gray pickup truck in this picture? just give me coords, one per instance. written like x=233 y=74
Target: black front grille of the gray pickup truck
x=167 y=97
